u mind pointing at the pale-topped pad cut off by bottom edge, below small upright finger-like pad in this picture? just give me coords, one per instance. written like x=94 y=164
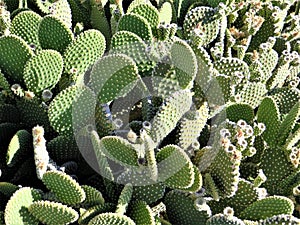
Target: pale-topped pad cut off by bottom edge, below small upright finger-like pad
x=111 y=218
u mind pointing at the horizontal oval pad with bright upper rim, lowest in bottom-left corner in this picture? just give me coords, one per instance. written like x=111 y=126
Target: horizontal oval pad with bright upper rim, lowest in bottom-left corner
x=53 y=213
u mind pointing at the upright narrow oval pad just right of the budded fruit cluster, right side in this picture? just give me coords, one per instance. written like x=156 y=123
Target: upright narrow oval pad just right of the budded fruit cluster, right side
x=268 y=113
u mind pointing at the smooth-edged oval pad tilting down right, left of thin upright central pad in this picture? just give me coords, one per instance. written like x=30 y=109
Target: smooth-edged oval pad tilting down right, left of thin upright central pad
x=119 y=150
